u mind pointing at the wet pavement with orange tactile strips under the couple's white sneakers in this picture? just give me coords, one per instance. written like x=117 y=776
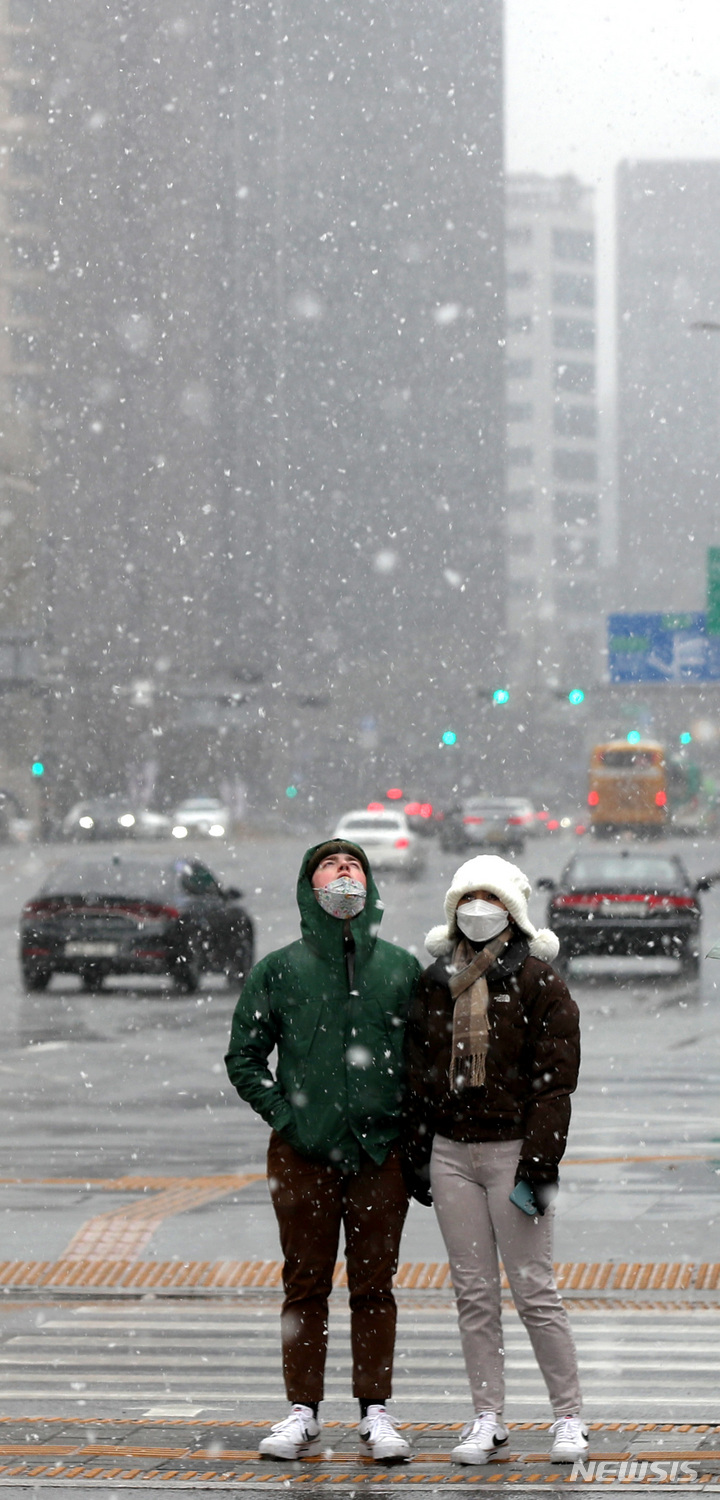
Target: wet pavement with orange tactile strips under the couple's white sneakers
x=215 y=1462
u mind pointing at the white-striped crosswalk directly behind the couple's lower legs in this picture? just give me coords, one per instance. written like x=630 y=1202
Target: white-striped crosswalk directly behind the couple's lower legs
x=646 y=1363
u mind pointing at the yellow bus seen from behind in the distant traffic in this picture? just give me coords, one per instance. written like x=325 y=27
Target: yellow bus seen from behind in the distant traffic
x=628 y=788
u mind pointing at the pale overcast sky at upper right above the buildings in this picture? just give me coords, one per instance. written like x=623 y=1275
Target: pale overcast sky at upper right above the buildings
x=592 y=82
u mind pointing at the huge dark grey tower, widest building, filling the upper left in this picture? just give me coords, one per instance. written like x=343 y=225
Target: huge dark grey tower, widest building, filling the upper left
x=275 y=416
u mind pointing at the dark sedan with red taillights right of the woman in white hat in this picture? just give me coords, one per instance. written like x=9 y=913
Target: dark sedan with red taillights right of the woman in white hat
x=628 y=904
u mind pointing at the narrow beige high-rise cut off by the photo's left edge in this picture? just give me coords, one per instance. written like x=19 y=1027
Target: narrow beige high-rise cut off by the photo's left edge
x=23 y=244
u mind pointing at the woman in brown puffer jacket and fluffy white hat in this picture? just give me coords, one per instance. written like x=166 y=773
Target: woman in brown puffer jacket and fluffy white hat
x=493 y=1054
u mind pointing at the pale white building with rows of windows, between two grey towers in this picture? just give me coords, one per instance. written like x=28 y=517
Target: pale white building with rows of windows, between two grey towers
x=553 y=445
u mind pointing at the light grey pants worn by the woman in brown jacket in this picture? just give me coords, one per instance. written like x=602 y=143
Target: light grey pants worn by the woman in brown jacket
x=472 y=1186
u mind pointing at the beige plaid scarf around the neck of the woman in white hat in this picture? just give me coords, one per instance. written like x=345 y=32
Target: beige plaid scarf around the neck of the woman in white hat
x=469 y=989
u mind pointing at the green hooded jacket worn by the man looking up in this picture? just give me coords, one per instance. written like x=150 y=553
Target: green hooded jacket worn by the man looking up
x=340 y=1078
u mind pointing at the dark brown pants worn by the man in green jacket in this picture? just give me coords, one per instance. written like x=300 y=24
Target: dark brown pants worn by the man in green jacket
x=313 y=1201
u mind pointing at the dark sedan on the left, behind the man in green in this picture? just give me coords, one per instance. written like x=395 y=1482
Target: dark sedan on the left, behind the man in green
x=130 y=916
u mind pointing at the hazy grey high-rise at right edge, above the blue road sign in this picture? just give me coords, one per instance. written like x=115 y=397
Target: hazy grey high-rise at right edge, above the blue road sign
x=668 y=382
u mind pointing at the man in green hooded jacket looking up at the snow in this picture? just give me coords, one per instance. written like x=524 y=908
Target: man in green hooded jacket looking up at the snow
x=334 y=1004
